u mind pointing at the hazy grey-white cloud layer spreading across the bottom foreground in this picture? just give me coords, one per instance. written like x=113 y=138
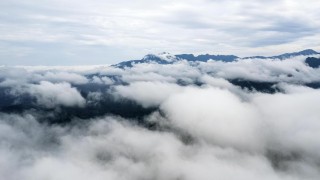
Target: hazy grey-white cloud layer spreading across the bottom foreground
x=112 y=148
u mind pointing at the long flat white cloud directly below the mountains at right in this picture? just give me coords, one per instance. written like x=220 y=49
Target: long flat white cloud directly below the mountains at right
x=291 y=70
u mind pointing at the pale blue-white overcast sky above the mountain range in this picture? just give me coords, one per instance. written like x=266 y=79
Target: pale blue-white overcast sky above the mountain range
x=73 y=32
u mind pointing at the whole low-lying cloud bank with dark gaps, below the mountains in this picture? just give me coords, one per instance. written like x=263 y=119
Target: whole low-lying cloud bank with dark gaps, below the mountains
x=250 y=119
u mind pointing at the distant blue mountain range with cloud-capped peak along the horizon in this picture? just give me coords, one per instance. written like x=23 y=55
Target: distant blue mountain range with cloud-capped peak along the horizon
x=167 y=58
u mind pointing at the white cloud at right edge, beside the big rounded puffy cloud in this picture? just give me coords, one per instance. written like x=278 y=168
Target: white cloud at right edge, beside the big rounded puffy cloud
x=293 y=118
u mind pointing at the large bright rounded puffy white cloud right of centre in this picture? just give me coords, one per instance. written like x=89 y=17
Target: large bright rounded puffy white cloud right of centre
x=217 y=116
